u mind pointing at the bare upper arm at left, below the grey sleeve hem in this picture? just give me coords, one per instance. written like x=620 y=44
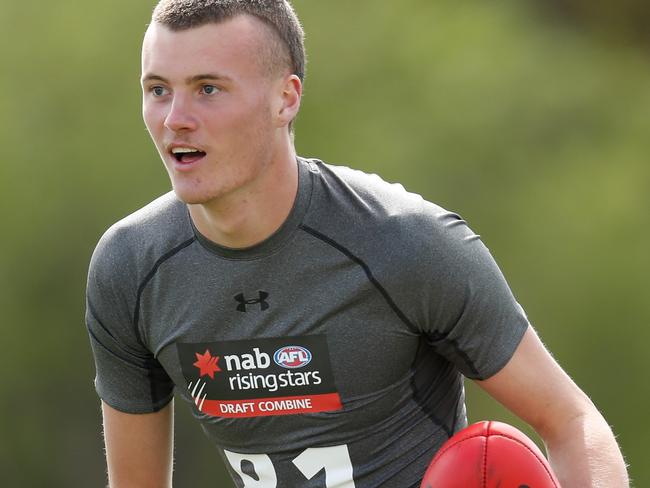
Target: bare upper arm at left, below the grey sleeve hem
x=139 y=447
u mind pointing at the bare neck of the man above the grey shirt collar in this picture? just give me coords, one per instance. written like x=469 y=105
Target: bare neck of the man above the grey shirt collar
x=251 y=214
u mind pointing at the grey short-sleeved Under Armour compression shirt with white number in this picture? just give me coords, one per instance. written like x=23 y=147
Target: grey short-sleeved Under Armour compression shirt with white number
x=329 y=355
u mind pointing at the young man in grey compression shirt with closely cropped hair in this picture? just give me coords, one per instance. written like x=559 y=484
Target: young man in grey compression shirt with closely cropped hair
x=317 y=320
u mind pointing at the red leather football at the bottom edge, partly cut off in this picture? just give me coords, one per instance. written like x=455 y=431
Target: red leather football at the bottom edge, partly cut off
x=489 y=455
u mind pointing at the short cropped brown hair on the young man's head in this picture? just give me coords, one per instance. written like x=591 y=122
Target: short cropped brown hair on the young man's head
x=277 y=14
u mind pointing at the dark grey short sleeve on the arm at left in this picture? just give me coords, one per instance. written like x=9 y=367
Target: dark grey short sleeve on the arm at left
x=128 y=376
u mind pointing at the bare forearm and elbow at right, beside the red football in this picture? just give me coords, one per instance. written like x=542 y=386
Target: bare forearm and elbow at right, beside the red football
x=581 y=447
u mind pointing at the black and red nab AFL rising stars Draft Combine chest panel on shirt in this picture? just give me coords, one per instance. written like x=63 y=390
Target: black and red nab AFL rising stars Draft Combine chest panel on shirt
x=260 y=377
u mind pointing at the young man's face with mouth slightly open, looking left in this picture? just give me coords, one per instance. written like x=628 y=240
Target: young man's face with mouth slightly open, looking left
x=210 y=106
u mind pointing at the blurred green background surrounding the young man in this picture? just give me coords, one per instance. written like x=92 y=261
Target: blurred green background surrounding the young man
x=530 y=118
